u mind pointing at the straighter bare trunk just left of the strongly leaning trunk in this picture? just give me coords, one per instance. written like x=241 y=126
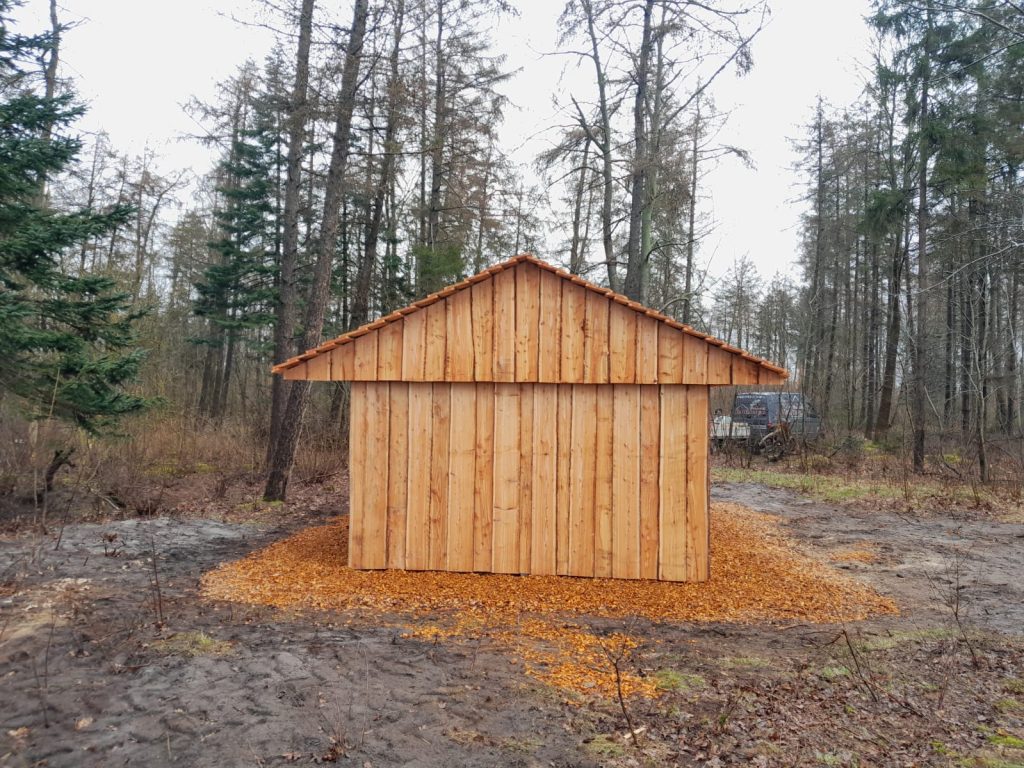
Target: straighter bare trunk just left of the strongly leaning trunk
x=287 y=308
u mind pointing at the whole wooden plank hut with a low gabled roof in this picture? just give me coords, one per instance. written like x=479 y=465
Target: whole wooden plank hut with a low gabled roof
x=527 y=421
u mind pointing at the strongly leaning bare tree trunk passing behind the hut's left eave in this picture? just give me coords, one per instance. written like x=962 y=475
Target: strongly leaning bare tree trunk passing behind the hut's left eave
x=284 y=456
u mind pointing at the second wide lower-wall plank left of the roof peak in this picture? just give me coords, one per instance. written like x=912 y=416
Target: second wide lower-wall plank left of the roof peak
x=462 y=450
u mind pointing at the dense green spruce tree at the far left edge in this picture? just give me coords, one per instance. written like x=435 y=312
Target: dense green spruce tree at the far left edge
x=67 y=342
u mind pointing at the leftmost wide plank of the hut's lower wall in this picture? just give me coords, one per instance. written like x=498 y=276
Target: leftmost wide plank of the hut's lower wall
x=375 y=480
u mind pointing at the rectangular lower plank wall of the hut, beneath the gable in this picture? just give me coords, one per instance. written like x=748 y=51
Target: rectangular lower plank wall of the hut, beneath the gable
x=573 y=480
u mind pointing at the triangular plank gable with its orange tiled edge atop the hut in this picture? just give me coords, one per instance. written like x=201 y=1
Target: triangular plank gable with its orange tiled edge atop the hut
x=526 y=321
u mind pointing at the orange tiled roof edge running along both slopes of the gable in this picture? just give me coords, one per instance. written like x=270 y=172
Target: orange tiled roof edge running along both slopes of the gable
x=462 y=285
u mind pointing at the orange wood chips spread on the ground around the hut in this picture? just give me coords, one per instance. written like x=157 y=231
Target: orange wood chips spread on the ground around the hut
x=757 y=576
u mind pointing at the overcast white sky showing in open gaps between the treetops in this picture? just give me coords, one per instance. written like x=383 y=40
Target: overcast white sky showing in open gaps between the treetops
x=137 y=62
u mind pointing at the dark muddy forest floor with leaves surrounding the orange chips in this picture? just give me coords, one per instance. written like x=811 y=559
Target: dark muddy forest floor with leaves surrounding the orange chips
x=101 y=667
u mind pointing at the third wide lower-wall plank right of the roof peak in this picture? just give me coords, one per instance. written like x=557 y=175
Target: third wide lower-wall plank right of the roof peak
x=626 y=483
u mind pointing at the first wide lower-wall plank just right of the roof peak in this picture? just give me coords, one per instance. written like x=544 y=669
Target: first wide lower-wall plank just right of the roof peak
x=543 y=529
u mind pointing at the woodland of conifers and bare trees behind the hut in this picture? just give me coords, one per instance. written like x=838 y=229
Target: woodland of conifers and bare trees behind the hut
x=361 y=169
